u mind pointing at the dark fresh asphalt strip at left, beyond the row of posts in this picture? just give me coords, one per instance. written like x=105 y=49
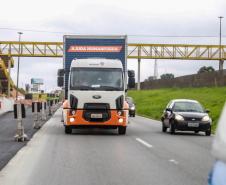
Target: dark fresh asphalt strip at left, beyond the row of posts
x=8 y=129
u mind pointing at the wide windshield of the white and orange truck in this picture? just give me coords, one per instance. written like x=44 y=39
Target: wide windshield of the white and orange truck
x=103 y=79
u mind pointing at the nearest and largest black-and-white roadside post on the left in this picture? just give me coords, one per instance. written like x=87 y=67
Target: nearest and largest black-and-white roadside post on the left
x=19 y=113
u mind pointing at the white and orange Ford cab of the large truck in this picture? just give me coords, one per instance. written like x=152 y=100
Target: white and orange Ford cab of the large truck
x=96 y=95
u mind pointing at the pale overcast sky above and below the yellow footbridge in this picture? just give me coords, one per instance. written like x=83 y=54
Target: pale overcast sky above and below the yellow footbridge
x=142 y=21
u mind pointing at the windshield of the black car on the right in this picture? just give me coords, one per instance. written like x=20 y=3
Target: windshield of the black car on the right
x=188 y=107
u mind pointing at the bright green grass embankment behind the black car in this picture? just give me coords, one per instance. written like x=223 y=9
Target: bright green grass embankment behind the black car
x=151 y=103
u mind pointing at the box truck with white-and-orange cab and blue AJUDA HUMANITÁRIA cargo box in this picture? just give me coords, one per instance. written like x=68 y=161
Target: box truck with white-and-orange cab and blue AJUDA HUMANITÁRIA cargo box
x=95 y=82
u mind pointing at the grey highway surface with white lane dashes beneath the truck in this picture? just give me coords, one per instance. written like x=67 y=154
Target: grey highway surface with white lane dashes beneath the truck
x=144 y=156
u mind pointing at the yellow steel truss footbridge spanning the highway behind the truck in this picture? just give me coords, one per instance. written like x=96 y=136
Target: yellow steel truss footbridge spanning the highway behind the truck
x=135 y=51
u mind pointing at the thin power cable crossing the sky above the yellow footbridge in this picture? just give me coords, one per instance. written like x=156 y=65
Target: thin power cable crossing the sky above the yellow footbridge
x=58 y=32
